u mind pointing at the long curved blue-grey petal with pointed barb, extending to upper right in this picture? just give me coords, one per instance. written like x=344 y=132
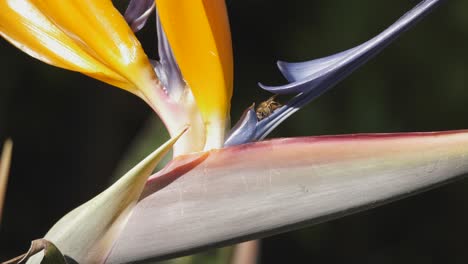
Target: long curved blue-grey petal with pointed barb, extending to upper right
x=311 y=79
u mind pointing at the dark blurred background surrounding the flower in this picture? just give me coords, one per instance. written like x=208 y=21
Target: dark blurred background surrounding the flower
x=70 y=131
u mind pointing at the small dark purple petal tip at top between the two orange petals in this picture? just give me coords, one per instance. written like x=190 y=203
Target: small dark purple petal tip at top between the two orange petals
x=138 y=12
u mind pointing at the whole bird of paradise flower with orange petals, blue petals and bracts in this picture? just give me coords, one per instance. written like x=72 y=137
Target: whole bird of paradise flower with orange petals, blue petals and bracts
x=223 y=186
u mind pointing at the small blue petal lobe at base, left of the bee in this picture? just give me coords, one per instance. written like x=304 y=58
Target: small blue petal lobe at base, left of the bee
x=245 y=129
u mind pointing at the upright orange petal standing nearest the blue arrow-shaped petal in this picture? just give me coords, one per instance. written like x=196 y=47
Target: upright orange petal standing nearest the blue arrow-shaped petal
x=199 y=35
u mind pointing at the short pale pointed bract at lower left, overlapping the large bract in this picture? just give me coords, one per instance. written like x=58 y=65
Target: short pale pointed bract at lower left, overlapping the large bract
x=87 y=233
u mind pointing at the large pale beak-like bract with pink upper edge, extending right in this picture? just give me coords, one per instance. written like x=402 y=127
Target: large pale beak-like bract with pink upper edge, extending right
x=260 y=189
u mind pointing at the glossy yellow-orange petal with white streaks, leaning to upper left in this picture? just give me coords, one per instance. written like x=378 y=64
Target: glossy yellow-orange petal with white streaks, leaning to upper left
x=88 y=36
